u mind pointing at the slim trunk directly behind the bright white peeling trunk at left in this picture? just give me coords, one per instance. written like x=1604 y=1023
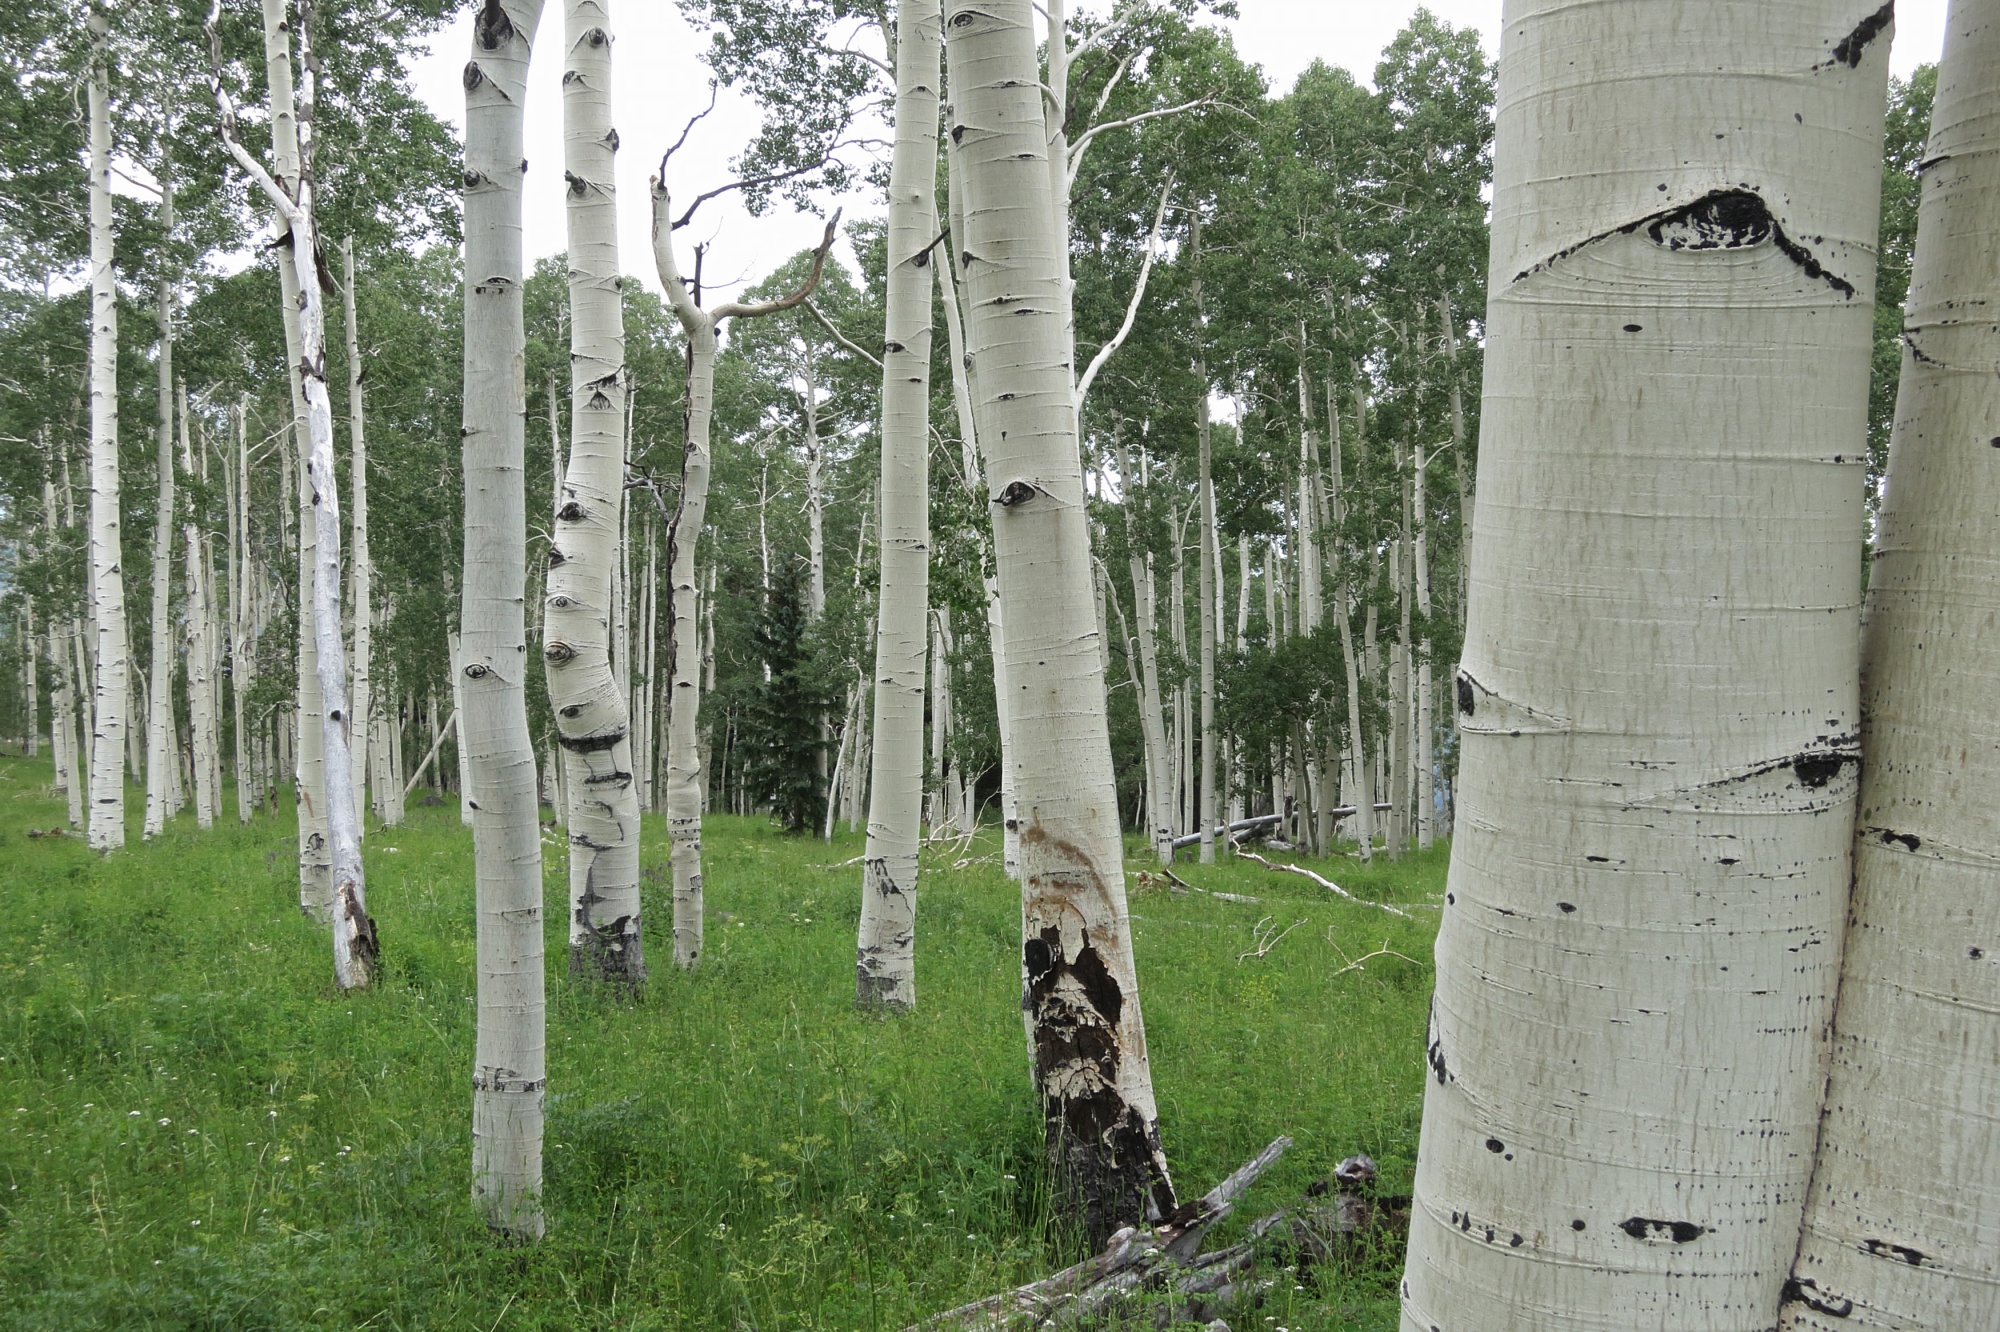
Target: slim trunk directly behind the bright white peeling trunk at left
x=309 y=759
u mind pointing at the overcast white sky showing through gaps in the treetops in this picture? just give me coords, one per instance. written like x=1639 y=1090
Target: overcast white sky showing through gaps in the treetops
x=661 y=83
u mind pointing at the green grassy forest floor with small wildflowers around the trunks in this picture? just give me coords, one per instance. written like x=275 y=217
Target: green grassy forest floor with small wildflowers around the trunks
x=203 y=1133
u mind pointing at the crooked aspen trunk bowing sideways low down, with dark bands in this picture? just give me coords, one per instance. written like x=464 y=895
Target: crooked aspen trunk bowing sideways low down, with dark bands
x=593 y=715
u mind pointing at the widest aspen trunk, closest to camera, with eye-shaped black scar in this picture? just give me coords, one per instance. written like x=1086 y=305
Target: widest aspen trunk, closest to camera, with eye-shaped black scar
x=1661 y=675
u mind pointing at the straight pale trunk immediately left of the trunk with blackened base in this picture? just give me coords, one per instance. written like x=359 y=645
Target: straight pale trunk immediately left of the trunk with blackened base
x=885 y=959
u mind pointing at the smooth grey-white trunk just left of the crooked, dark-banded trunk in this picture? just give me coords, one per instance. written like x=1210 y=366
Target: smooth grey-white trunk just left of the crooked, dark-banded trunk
x=509 y=1075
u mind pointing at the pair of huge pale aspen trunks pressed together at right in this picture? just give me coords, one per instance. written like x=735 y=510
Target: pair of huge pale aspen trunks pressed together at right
x=1715 y=1041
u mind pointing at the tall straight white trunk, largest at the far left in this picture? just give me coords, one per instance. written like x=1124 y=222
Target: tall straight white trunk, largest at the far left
x=111 y=683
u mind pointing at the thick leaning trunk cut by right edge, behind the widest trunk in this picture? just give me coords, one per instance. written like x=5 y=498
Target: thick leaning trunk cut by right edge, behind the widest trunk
x=1903 y=1223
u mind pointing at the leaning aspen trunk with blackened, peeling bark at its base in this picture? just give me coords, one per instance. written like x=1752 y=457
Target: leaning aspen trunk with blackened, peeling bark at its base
x=1081 y=991
